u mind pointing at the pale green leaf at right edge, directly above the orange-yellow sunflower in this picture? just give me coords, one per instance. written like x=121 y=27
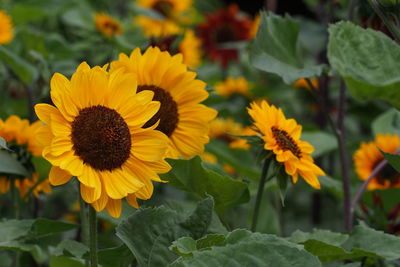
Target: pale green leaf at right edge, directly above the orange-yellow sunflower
x=387 y=123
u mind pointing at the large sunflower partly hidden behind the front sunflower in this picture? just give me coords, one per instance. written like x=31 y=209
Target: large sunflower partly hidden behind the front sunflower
x=181 y=117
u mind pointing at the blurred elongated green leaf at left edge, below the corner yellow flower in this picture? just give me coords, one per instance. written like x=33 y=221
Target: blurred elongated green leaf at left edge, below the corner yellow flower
x=23 y=69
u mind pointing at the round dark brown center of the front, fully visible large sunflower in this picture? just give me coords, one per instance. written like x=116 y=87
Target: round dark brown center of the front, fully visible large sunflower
x=101 y=138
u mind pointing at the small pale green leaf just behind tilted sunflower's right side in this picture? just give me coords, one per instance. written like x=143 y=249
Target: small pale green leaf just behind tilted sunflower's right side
x=322 y=142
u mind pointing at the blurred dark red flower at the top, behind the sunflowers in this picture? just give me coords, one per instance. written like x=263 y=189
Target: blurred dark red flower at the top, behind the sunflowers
x=223 y=26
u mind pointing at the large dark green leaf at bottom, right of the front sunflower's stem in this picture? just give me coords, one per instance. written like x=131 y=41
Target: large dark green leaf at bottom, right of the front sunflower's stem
x=149 y=232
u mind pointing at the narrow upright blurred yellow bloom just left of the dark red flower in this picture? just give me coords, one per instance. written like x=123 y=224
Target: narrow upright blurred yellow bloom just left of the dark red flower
x=190 y=47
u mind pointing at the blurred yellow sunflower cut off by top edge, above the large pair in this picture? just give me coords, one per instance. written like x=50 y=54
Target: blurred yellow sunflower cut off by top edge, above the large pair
x=172 y=11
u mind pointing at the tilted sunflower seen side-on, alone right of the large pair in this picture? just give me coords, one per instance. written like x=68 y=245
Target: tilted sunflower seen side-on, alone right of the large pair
x=282 y=137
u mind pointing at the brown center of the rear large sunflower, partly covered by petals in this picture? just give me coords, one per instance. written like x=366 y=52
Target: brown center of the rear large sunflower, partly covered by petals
x=168 y=112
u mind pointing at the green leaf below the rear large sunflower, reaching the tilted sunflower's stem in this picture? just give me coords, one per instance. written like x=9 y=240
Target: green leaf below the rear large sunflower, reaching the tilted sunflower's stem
x=192 y=176
